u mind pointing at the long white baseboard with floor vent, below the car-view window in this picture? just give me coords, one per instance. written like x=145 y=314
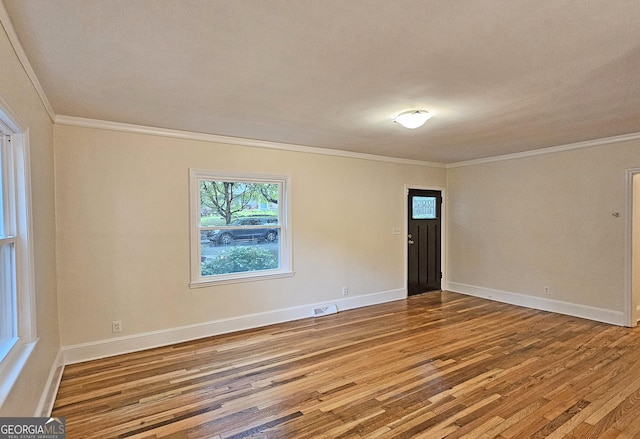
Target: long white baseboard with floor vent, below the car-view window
x=137 y=342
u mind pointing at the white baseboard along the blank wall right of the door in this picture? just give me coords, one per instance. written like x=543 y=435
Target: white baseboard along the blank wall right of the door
x=541 y=303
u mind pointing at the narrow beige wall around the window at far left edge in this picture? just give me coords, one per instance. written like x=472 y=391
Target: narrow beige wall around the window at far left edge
x=18 y=92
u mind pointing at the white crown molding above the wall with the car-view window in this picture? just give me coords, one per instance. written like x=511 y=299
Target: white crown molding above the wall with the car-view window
x=188 y=135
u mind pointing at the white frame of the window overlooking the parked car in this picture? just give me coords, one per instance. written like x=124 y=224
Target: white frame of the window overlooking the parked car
x=284 y=239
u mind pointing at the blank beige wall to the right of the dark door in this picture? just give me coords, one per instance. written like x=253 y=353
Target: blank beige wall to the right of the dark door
x=519 y=225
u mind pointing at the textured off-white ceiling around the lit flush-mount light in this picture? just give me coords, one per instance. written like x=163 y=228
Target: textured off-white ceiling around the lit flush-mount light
x=498 y=76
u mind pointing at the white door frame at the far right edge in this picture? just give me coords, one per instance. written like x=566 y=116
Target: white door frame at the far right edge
x=629 y=311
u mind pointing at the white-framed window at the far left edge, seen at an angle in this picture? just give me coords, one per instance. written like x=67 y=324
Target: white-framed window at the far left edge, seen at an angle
x=16 y=213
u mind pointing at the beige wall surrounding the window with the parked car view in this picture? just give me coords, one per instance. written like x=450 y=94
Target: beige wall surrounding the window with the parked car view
x=123 y=230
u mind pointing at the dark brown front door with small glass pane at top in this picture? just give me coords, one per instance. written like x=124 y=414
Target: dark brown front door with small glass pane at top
x=423 y=241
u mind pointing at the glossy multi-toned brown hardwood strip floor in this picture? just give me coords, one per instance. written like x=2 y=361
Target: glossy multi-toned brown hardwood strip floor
x=433 y=366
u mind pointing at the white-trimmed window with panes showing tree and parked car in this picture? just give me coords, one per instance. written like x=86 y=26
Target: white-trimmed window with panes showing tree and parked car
x=239 y=227
